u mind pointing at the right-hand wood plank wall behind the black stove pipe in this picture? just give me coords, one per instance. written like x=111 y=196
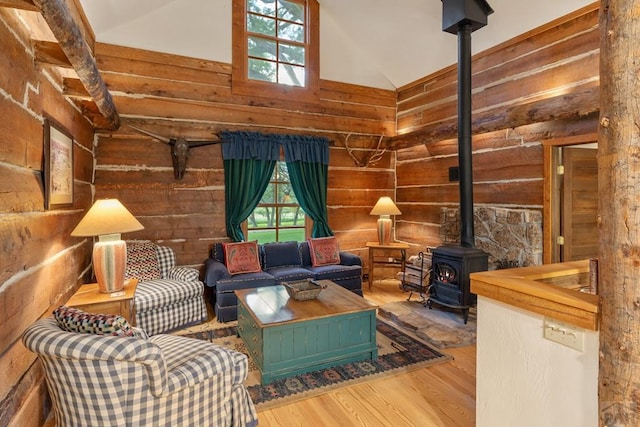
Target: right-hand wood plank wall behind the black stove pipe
x=560 y=57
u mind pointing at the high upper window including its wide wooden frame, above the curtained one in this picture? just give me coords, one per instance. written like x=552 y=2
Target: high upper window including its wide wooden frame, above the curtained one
x=275 y=48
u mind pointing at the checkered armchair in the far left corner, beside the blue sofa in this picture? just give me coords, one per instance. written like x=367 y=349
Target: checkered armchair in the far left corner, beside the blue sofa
x=168 y=296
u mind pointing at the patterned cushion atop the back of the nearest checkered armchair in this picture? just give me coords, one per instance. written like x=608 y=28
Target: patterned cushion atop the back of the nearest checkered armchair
x=75 y=320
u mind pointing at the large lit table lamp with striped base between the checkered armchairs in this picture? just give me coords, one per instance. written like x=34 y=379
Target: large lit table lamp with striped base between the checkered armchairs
x=106 y=219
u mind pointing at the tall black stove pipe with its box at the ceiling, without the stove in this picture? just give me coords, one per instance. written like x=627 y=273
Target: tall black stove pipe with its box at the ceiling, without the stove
x=462 y=17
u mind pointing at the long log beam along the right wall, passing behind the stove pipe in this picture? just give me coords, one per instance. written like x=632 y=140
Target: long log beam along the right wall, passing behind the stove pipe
x=570 y=105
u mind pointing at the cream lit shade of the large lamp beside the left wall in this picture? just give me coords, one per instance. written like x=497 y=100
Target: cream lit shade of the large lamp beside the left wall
x=107 y=216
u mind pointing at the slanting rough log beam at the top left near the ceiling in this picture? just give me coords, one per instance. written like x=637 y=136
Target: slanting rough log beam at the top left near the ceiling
x=74 y=46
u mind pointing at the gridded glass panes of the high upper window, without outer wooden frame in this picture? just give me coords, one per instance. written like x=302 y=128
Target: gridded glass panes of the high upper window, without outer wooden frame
x=276 y=40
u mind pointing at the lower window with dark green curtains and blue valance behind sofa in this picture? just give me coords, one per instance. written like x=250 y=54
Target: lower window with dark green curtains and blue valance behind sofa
x=250 y=161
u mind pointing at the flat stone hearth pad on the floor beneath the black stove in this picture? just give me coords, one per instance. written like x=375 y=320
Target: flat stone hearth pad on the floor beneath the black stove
x=441 y=326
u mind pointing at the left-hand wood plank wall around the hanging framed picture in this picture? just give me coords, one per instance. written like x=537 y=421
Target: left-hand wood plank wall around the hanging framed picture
x=40 y=263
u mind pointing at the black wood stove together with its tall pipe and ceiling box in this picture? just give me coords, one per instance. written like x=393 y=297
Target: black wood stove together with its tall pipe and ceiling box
x=451 y=265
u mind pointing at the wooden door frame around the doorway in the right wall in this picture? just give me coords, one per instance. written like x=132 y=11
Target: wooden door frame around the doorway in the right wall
x=551 y=184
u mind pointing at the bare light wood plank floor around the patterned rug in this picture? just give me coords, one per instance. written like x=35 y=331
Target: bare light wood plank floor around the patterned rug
x=441 y=395
